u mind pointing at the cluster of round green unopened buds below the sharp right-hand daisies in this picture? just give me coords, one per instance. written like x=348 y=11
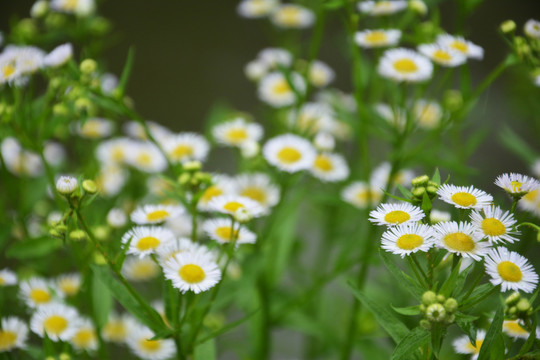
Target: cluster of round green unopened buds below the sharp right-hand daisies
x=436 y=308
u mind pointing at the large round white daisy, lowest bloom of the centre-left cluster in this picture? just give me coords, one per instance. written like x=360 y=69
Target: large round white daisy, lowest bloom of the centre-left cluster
x=192 y=271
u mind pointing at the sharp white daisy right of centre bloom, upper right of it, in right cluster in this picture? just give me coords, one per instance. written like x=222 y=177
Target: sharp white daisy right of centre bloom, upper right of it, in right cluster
x=495 y=225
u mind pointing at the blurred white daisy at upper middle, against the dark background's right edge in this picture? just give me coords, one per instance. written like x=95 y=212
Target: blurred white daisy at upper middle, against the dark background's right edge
x=275 y=90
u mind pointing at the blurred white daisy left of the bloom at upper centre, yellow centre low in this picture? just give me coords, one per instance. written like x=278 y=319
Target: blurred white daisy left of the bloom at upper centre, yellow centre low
x=187 y=146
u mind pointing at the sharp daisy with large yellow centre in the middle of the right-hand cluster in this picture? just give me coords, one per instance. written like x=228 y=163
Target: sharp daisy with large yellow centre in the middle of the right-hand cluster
x=461 y=239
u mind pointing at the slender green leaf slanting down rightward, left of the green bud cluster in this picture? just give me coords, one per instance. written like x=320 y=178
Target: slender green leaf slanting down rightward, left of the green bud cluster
x=395 y=328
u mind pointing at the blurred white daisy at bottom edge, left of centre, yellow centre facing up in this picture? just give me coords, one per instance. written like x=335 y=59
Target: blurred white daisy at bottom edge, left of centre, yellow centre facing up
x=140 y=344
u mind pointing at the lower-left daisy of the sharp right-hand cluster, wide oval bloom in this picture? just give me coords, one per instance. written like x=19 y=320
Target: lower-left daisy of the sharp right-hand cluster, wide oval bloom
x=408 y=238
